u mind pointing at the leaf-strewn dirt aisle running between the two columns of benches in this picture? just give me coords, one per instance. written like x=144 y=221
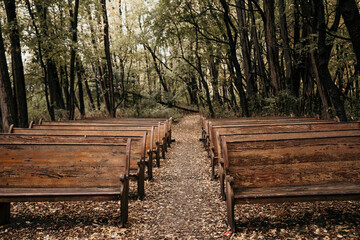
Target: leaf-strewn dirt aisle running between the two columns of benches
x=181 y=201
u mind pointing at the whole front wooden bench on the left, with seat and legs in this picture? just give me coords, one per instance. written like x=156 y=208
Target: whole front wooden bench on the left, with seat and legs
x=63 y=172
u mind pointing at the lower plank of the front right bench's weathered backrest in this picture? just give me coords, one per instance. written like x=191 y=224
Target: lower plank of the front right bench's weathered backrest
x=296 y=174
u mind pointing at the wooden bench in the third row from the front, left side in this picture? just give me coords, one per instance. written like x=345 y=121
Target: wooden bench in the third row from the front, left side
x=152 y=145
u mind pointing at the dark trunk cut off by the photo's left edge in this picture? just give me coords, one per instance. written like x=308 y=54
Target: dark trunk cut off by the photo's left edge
x=7 y=106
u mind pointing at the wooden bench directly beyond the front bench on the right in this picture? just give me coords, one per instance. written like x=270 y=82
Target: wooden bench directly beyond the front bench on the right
x=284 y=127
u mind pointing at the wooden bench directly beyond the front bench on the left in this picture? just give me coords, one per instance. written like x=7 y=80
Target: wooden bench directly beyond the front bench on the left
x=137 y=161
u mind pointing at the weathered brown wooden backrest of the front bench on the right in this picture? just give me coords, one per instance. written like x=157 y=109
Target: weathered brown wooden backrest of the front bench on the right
x=305 y=160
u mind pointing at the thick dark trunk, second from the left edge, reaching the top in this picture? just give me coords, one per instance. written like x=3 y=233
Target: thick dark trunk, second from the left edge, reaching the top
x=18 y=69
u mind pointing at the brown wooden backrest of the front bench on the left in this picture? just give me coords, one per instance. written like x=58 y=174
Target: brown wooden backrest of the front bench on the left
x=60 y=165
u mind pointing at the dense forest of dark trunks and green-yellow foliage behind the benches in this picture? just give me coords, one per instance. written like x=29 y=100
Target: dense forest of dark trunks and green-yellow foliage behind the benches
x=75 y=58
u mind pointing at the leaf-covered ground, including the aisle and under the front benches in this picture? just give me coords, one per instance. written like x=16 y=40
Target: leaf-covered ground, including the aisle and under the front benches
x=183 y=203
